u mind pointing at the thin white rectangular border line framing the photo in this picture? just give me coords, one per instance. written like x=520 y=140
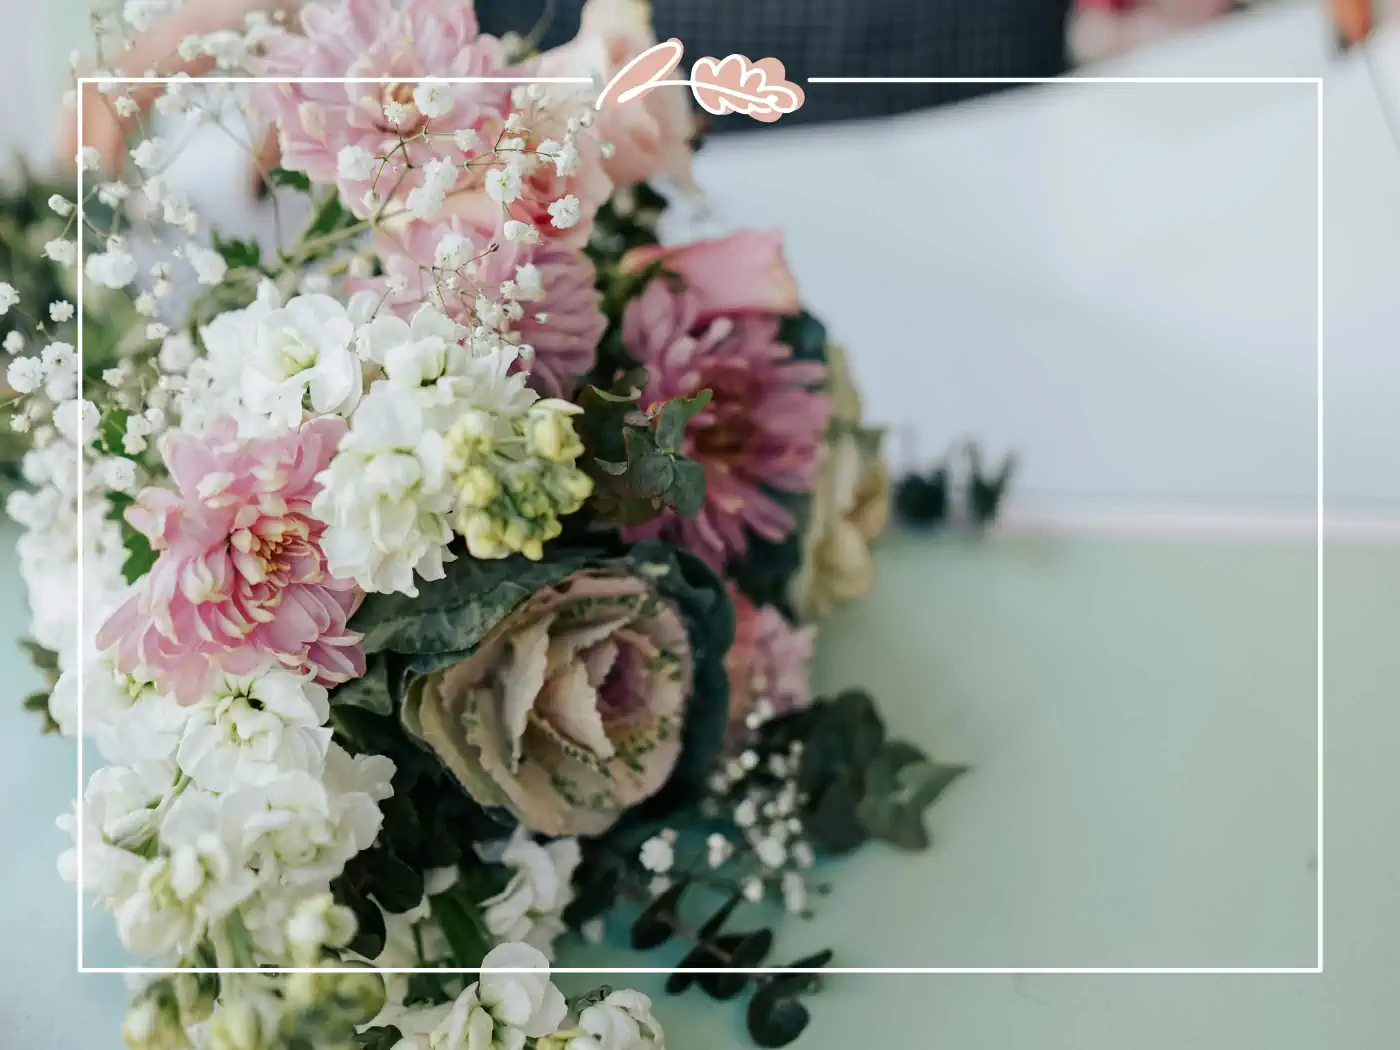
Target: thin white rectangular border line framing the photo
x=1070 y=80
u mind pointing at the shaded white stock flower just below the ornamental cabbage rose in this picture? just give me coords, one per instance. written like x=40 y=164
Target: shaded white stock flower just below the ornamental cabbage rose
x=530 y=908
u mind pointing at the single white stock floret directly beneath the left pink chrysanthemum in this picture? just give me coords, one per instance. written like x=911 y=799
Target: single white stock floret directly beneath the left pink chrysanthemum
x=251 y=729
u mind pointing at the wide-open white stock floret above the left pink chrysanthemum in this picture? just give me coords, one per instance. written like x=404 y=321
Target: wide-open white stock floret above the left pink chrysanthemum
x=303 y=356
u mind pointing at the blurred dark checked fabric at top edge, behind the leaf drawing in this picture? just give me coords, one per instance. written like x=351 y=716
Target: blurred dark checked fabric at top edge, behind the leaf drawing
x=845 y=38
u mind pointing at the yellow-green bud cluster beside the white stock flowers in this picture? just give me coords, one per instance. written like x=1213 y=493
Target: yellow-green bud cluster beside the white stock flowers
x=516 y=478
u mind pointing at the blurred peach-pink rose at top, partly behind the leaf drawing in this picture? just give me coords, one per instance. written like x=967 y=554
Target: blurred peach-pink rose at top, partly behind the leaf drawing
x=650 y=136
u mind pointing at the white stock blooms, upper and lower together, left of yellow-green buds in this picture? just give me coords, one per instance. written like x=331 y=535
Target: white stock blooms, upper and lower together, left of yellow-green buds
x=388 y=495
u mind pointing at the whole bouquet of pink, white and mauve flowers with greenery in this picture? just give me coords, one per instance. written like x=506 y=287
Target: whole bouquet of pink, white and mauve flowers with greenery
x=440 y=582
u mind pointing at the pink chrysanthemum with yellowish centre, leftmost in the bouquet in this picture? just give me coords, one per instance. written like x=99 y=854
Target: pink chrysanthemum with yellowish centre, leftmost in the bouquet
x=241 y=577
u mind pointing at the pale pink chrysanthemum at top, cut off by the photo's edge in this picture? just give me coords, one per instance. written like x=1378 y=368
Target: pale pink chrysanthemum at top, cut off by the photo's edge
x=379 y=38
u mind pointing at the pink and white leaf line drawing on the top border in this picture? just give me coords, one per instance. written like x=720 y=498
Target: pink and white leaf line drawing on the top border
x=720 y=86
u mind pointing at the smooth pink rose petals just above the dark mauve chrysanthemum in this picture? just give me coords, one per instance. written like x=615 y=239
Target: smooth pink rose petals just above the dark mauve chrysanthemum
x=741 y=274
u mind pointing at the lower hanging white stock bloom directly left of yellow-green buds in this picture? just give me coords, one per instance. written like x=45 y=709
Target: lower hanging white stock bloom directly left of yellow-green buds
x=386 y=496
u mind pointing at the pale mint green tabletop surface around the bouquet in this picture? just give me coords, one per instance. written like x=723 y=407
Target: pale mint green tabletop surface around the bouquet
x=1143 y=724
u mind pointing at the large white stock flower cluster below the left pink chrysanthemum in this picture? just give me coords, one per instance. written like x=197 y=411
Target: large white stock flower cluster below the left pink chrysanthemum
x=237 y=803
